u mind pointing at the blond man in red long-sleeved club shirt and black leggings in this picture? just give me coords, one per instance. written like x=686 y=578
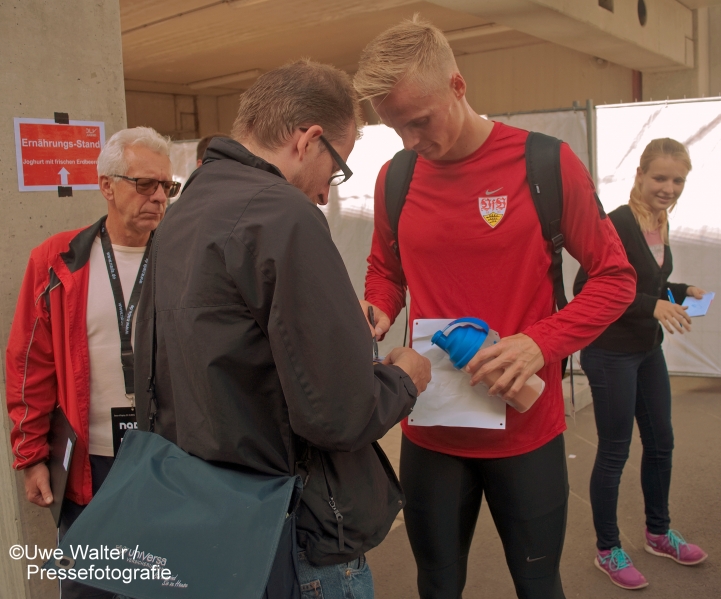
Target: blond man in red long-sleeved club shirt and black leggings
x=459 y=259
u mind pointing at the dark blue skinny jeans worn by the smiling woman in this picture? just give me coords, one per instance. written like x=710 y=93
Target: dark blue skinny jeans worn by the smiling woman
x=625 y=386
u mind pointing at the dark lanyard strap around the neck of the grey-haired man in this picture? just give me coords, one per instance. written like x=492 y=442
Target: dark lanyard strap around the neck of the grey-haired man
x=125 y=314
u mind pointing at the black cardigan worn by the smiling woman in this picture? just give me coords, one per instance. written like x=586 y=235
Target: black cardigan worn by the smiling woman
x=637 y=330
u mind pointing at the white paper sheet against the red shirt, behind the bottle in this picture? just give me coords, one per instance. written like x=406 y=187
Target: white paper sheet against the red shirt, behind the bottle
x=449 y=399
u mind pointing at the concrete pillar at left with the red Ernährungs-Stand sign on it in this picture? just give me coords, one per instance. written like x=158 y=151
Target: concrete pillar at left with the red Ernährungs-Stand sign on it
x=57 y=57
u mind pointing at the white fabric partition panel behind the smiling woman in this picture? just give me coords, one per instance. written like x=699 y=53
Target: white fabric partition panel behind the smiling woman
x=623 y=131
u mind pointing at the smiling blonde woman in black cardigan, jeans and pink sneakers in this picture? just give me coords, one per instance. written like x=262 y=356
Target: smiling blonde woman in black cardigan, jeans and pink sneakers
x=627 y=370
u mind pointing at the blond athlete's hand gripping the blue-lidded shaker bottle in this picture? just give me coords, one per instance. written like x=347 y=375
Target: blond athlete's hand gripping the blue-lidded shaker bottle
x=518 y=356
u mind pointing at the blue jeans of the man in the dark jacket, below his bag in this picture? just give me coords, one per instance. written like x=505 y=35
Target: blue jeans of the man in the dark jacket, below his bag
x=352 y=580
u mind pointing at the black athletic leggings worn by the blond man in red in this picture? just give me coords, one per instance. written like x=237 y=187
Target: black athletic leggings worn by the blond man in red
x=528 y=499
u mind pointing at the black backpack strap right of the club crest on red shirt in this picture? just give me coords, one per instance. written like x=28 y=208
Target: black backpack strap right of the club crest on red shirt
x=543 y=170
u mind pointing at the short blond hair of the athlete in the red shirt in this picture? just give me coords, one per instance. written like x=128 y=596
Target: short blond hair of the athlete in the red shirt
x=414 y=49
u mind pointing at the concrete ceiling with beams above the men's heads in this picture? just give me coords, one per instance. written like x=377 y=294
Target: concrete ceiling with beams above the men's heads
x=176 y=46
